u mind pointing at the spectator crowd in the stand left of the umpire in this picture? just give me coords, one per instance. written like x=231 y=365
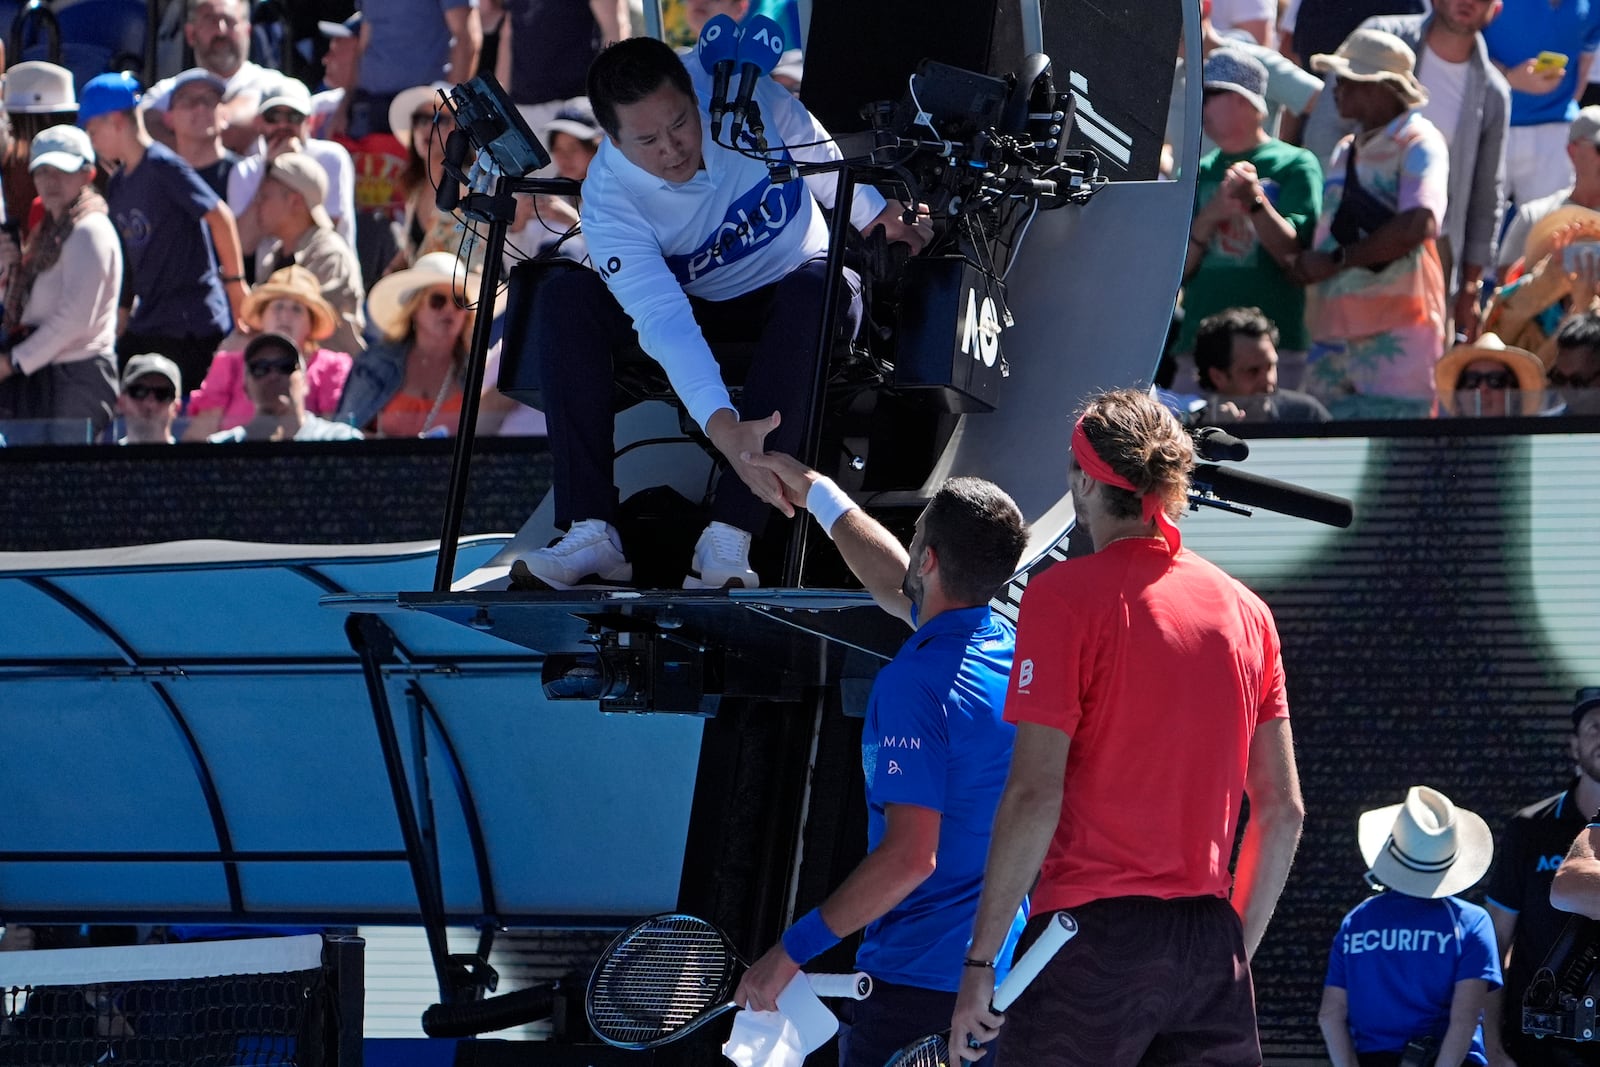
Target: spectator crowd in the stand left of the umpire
x=239 y=254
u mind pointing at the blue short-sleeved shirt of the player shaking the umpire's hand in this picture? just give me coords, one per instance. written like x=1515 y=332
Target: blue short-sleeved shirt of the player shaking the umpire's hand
x=935 y=738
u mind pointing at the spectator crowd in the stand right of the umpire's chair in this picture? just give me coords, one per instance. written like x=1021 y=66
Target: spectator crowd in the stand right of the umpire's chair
x=1398 y=212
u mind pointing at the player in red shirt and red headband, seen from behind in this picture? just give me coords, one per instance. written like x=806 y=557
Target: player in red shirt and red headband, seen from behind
x=1166 y=681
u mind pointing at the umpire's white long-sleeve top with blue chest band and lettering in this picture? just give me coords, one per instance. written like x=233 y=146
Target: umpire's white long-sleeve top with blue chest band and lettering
x=726 y=233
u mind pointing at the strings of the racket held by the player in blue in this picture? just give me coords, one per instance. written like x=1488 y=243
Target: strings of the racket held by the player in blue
x=660 y=980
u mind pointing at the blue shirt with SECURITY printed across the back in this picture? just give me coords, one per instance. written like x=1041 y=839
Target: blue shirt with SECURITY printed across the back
x=1399 y=961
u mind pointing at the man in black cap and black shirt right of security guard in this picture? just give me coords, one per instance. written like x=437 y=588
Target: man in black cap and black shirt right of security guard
x=1527 y=924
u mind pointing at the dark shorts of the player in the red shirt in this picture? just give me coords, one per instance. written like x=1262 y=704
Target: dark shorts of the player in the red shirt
x=1145 y=983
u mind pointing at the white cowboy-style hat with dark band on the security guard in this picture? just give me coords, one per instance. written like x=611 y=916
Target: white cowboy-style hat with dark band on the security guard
x=1426 y=847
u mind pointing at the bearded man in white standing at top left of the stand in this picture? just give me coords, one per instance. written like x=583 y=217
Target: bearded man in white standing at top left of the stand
x=218 y=31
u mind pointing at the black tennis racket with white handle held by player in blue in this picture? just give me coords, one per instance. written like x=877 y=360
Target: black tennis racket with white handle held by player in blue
x=670 y=975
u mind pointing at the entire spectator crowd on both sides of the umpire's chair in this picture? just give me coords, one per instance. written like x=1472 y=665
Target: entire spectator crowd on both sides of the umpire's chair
x=1398 y=212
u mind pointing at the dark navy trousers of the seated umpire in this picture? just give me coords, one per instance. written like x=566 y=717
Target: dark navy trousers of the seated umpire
x=577 y=329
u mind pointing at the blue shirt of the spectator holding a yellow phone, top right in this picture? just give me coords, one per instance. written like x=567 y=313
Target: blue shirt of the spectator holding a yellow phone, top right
x=1524 y=31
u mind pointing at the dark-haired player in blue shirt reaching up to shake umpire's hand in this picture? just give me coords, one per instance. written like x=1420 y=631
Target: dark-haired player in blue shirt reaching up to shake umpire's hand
x=935 y=754
